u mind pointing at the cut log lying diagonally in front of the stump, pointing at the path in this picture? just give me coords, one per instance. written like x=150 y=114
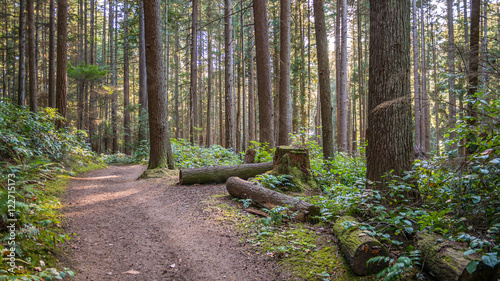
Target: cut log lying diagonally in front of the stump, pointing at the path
x=266 y=198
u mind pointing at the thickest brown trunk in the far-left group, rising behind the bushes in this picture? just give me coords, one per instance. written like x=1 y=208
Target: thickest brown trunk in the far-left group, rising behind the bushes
x=61 y=76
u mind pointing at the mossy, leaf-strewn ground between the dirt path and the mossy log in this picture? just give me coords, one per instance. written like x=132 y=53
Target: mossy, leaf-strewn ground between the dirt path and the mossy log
x=306 y=252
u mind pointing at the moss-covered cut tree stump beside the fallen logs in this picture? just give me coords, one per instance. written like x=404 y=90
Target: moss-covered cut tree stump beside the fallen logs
x=294 y=161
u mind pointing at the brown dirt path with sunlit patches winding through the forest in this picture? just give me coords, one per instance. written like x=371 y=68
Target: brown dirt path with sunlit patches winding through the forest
x=130 y=229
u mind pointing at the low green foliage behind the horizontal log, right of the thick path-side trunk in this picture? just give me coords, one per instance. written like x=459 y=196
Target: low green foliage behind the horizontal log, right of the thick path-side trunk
x=194 y=156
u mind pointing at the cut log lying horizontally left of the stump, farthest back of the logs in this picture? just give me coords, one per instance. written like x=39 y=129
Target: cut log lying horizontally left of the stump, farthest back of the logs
x=220 y=174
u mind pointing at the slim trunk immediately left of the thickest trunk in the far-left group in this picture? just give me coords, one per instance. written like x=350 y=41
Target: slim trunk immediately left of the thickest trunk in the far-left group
x=52 y=54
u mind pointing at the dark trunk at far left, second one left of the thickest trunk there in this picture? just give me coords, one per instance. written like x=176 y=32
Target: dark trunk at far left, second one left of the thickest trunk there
x=32 y=57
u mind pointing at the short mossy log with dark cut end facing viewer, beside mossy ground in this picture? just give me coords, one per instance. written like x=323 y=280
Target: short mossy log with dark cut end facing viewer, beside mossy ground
x=358 y=247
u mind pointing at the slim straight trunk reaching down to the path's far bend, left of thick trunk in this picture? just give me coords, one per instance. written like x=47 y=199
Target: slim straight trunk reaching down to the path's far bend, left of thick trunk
x=127 y=140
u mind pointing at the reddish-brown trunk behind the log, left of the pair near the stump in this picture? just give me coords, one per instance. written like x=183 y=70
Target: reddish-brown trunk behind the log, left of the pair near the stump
x=266 y=113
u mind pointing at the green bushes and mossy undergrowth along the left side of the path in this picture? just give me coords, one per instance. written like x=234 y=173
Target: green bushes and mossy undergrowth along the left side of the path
x=37 y=160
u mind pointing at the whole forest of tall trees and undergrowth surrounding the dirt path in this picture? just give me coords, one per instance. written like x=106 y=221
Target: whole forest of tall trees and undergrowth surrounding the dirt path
x=394 y=103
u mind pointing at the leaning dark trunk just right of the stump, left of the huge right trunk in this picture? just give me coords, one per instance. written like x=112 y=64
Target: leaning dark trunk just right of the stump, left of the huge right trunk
x=324 y=79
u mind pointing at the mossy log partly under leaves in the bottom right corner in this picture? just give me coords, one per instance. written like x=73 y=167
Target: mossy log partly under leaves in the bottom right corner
x=446 y=261
